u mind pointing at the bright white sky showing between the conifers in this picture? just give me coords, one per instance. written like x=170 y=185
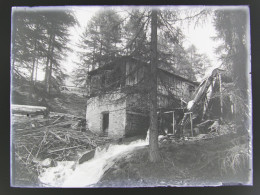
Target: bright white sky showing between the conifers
x=200 y=36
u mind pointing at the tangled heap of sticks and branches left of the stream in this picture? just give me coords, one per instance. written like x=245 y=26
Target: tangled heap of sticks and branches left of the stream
x=58 y=138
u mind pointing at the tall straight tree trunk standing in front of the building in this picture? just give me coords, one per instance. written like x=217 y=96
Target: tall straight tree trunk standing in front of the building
x=154 y=155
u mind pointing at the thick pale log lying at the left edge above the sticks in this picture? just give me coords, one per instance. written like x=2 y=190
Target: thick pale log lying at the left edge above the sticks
x=29 y=110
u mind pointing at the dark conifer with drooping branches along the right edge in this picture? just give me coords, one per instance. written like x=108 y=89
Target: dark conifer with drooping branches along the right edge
x=232 y=29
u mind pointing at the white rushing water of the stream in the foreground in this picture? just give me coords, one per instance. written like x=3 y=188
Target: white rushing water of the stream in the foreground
x=71 y=174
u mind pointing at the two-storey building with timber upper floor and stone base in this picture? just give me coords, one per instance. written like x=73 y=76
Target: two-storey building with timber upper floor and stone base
x=117 y=104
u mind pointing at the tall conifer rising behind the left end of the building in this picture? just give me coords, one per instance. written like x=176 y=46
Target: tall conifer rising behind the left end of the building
x=100 y=43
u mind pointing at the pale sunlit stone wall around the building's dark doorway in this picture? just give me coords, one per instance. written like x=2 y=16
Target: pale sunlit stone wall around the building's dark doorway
x=96 y=106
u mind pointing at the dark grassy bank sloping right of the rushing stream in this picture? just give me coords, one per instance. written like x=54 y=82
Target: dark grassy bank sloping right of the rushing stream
x=222 y=160
